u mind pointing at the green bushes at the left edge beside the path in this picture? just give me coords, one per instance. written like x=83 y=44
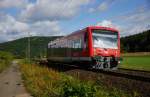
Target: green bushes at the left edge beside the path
x=5 y=60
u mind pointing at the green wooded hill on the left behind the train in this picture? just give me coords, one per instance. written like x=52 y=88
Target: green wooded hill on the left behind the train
x=19 y=47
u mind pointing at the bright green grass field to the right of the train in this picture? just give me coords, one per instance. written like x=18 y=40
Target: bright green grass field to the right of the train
x=136 y=62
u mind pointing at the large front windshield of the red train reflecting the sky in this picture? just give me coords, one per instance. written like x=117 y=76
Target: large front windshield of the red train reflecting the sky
x=105 y=39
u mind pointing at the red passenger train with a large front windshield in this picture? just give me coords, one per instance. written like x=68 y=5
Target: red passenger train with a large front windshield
x=94 y=47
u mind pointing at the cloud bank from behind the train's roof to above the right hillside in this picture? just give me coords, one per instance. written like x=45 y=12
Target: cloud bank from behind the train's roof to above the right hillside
x=133 y=22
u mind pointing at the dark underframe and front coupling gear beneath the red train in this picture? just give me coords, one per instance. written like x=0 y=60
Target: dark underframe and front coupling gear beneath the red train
x=98 y=62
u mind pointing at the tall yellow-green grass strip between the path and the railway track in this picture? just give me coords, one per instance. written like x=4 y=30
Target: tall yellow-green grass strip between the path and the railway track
x=44 y=82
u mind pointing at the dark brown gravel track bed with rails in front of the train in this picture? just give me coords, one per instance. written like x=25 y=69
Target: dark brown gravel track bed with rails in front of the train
x=130 y=81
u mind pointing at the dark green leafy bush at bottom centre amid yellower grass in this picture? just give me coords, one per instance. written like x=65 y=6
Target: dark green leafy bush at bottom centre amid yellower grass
x=77 y=89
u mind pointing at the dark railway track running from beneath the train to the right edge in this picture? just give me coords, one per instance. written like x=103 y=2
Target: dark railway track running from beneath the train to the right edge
x=138 y=75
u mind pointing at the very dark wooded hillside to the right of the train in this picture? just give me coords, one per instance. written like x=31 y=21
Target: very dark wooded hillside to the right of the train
x=136 y=43
